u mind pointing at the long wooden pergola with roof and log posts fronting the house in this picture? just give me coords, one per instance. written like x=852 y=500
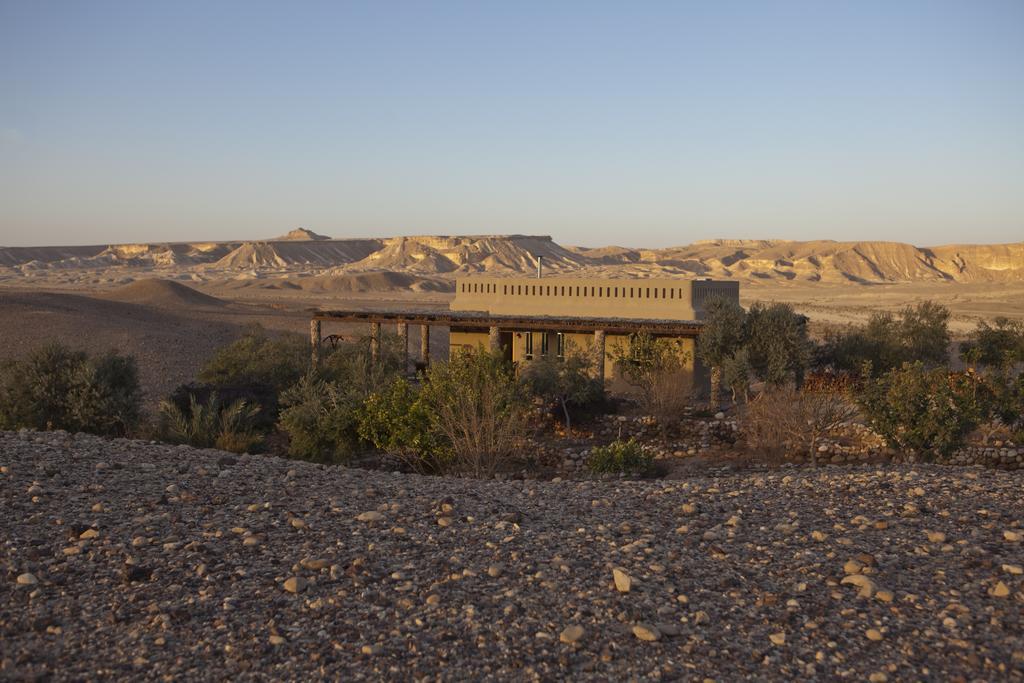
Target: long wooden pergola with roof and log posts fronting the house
x=494 y=324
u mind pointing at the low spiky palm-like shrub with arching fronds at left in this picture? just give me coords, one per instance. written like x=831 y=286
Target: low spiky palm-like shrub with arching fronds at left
x=211 y=424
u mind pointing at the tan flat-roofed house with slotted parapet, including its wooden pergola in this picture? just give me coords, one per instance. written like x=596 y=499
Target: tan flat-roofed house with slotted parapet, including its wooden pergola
x=531 y=318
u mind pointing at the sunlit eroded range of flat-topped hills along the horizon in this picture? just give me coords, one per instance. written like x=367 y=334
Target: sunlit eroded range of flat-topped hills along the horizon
x=749 y=261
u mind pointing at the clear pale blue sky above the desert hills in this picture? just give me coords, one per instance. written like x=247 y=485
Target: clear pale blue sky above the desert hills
x=632 y=123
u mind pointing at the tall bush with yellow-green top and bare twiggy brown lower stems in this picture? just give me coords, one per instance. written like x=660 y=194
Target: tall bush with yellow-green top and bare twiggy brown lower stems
x=479 y=408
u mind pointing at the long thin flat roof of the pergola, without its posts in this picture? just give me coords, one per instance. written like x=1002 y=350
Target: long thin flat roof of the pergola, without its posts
x=480 y=319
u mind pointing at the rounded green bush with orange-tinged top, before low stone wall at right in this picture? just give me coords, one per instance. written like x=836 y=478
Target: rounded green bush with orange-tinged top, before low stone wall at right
x=930 y=411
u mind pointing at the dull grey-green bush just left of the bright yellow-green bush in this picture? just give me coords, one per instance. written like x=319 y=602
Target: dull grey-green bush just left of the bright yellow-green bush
x=321 y=419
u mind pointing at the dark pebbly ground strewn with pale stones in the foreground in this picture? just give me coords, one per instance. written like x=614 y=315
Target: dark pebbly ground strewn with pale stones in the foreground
x=124 y=560
